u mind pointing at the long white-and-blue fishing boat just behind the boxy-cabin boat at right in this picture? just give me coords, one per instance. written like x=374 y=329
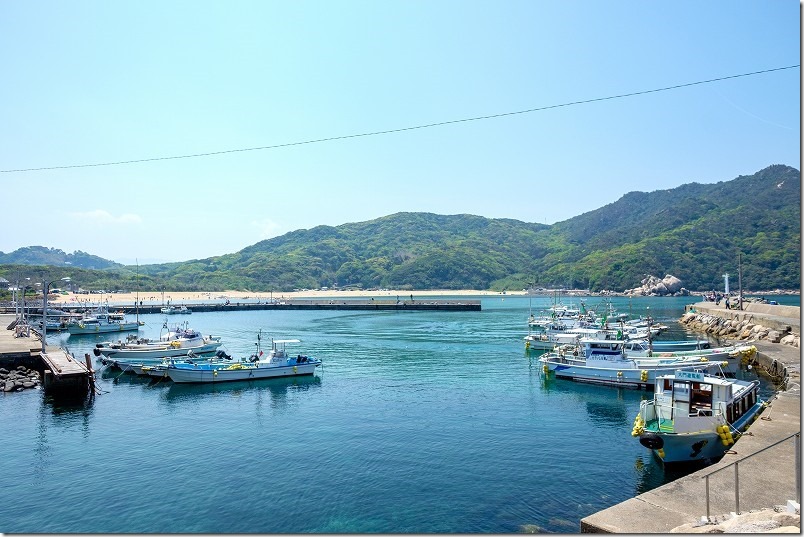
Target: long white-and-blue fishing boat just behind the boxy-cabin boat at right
x=603 y=362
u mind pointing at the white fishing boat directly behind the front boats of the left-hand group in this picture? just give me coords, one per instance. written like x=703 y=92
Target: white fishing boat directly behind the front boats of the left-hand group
x=175 y=342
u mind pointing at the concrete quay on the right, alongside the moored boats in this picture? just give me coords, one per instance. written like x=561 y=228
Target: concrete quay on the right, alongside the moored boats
x=768 y=472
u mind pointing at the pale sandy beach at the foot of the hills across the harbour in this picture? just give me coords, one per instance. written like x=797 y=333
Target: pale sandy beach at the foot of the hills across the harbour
x=178 y=298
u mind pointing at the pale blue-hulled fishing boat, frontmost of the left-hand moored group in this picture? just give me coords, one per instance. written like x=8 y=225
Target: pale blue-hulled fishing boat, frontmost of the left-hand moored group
x=276 y=363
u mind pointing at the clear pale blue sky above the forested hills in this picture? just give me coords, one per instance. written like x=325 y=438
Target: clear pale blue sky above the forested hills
x=97 y=82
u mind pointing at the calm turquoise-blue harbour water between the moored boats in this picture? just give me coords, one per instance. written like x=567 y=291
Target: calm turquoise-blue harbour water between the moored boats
x=418 y=422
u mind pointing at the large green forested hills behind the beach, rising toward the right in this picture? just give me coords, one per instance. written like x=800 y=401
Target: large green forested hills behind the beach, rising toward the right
x=695 y=232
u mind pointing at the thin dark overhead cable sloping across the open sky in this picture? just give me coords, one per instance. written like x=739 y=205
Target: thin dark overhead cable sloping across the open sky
x=402 y=129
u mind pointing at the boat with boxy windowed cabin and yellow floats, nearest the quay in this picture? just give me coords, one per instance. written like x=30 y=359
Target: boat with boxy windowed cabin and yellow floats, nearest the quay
x=694 y=416
